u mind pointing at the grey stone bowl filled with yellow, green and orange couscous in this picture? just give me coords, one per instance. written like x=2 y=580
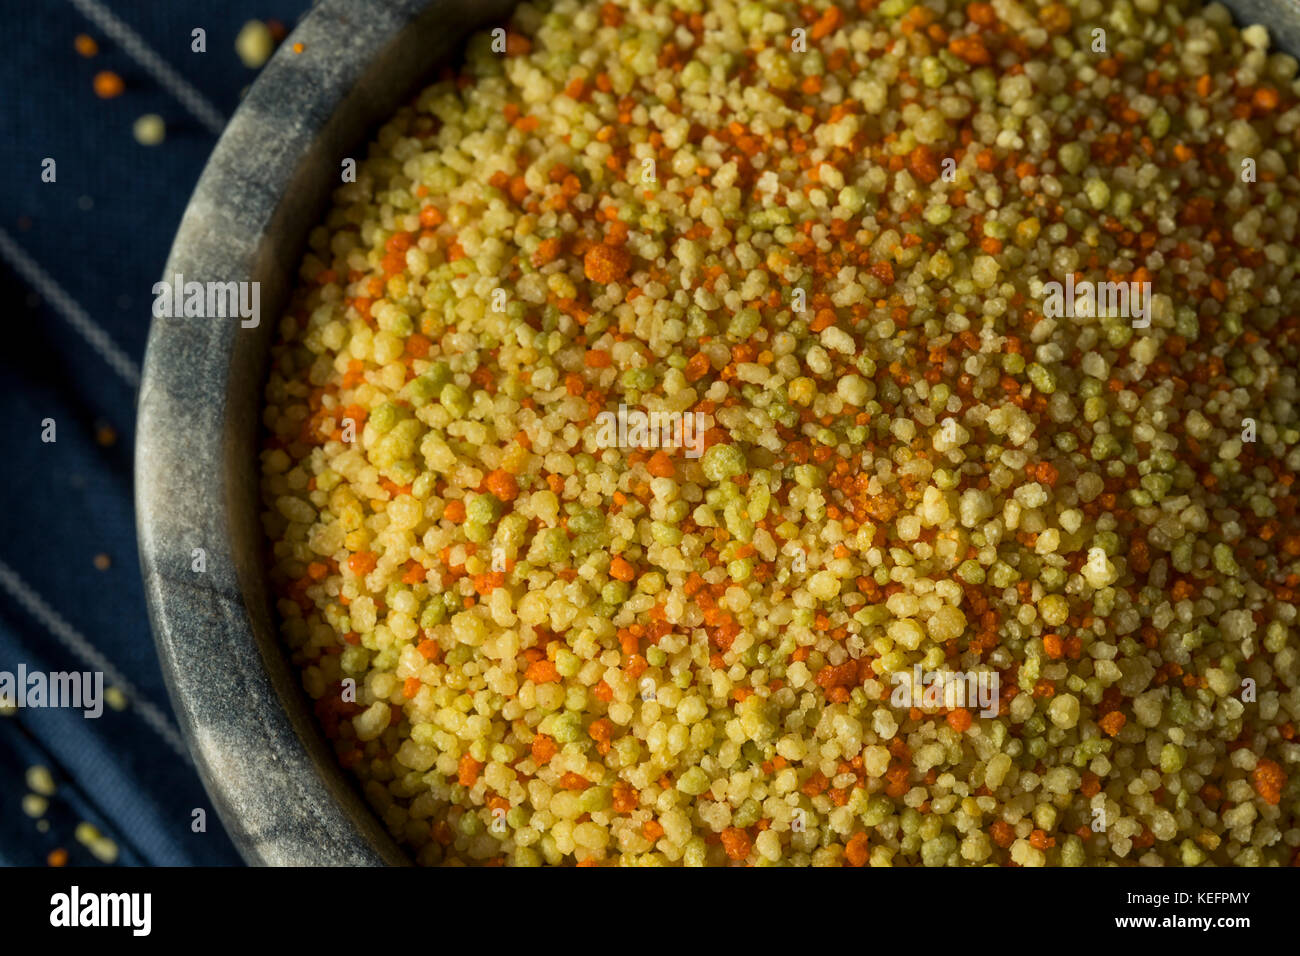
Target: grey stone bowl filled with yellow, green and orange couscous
x=759 y=434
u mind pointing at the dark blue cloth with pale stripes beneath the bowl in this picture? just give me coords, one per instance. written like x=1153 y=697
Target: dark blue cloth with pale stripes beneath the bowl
x=101 y=233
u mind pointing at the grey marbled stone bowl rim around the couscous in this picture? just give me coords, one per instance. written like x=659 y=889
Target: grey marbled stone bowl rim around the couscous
x=267 y=767
